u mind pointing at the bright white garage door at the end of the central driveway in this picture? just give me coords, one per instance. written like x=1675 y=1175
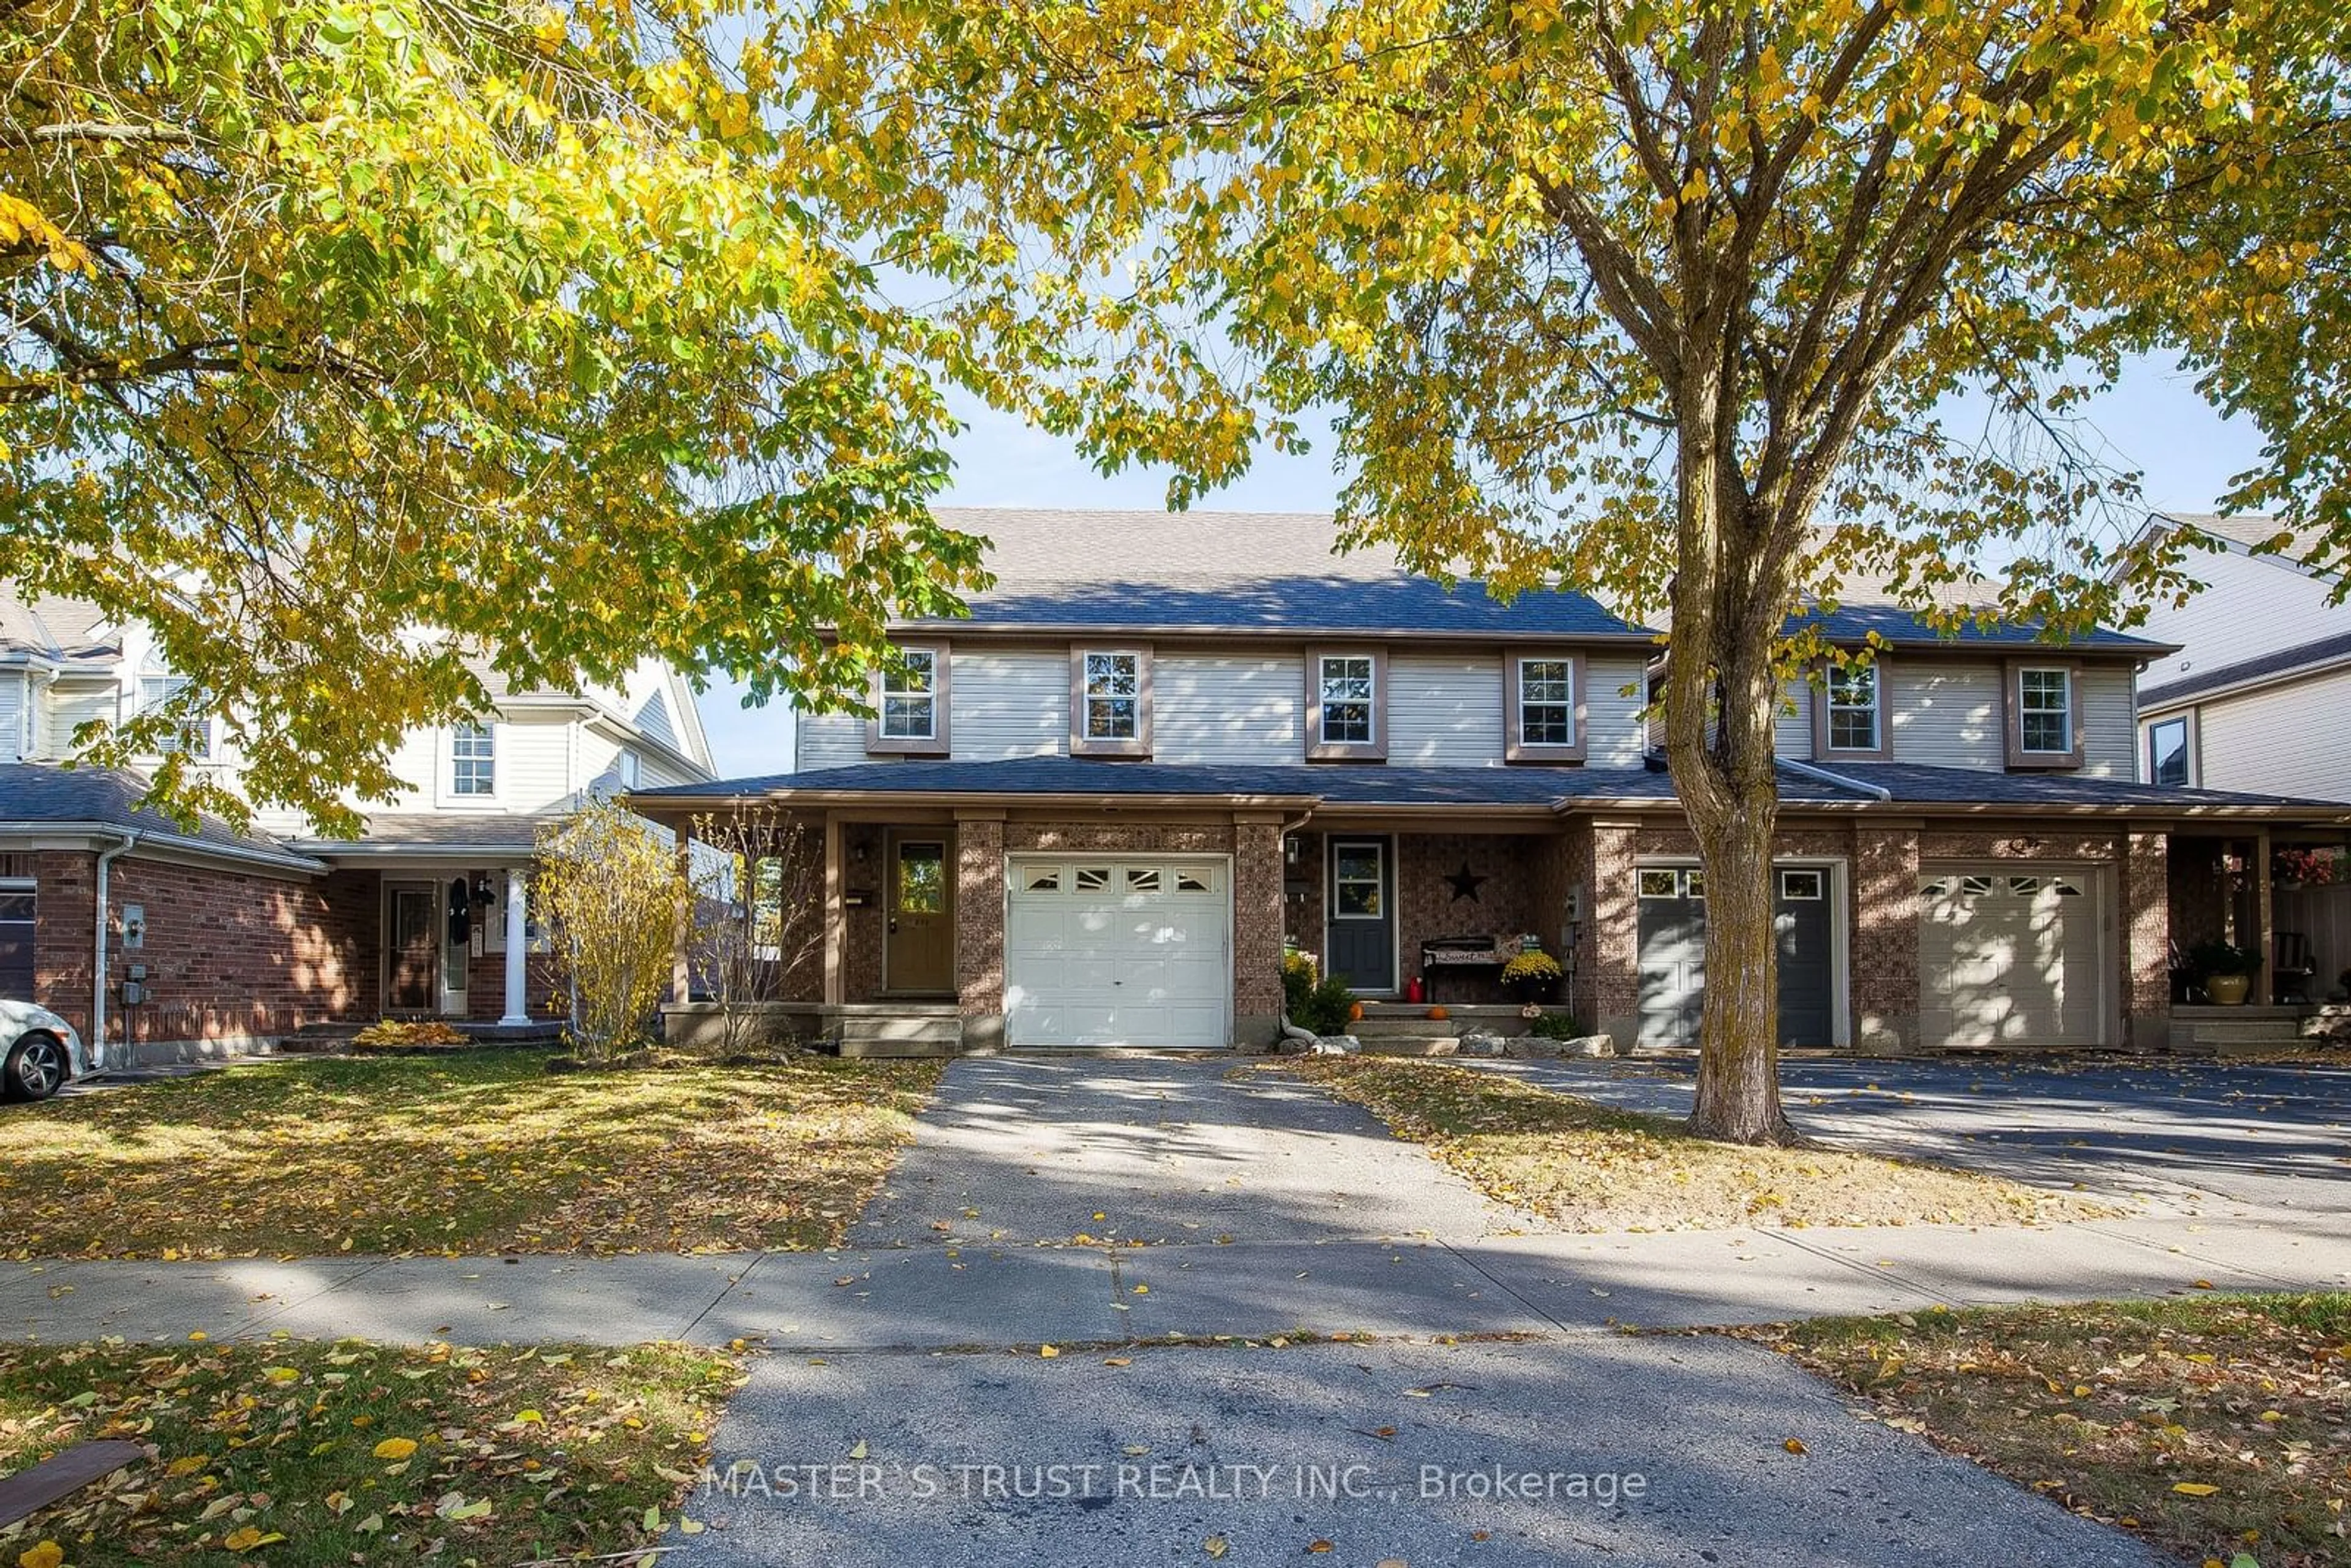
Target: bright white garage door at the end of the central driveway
x=1118 y=953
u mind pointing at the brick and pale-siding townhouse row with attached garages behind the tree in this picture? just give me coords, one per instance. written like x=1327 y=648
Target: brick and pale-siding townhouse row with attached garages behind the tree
x=1163 y=744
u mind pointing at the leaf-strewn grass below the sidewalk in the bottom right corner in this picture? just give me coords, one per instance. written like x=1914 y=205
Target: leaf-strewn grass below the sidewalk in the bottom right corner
x=2216 y=1426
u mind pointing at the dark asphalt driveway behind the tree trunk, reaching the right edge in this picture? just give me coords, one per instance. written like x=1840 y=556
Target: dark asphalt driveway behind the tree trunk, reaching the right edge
x=2190 y=1137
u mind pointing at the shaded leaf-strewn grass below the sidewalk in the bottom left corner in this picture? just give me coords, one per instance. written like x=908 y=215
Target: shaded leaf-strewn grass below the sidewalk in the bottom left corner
x=335 y=1454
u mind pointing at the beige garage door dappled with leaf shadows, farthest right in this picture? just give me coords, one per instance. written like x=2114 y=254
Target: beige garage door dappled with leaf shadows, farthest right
x=2009 y=960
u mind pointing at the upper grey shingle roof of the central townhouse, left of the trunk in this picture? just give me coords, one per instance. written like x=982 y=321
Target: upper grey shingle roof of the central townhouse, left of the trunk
x=1238 y=575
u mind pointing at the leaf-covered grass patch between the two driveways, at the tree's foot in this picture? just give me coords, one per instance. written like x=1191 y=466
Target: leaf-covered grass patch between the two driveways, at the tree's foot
x=1595 y=1167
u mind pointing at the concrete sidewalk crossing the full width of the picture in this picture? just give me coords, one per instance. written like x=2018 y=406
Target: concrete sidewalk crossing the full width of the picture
x=977 y=1294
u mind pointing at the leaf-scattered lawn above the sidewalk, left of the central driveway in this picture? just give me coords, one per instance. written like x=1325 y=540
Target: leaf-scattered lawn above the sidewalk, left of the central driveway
x=457 y=1155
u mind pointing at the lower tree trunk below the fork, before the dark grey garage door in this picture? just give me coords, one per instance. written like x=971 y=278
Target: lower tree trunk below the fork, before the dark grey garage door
x=1739 y=1059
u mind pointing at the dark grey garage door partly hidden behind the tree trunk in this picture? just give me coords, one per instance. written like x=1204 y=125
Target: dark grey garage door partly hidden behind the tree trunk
x=1675 y=956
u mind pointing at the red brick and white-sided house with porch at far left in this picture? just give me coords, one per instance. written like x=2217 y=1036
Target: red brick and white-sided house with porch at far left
x=213 y=939
